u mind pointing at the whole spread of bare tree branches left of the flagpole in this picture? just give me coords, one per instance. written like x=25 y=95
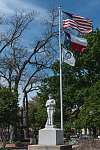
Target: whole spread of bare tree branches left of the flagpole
x=20 y=64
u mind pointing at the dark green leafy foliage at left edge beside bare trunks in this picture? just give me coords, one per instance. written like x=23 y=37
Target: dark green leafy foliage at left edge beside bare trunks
x=8 y=109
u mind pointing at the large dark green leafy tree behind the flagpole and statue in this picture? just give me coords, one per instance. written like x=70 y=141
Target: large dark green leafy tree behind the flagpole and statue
x=81 y=89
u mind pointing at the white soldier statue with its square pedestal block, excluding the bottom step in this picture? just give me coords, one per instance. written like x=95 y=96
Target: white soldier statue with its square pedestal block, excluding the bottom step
x=50 y=135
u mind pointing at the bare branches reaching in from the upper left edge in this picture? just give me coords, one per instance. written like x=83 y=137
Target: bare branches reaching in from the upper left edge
x=15 y=25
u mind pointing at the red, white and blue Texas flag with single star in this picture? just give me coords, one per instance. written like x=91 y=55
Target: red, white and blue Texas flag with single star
x=76 y=43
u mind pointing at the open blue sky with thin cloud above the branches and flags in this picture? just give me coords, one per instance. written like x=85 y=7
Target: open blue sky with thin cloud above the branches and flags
x=84 y=8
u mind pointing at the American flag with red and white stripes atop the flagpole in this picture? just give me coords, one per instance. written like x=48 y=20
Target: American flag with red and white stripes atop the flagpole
x=81 y=24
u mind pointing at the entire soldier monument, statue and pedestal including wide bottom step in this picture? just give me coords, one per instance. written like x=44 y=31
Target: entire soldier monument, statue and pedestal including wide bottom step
x=50 y=138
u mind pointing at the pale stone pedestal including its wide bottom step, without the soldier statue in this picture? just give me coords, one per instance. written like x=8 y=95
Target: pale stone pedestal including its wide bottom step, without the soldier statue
x=50 y=139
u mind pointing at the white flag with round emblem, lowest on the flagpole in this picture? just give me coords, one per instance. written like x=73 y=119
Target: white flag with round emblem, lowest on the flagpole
x=68 y=57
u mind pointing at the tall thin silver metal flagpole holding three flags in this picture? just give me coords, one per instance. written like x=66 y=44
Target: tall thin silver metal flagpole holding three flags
x=61 y=99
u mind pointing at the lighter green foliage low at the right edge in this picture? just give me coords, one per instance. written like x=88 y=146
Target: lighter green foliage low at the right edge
x=89 y=115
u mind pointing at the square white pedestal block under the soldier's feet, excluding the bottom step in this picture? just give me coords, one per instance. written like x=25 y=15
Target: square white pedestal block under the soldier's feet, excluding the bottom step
x=50 y=136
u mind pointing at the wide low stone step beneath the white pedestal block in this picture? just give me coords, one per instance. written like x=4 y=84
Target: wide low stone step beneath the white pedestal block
x=50 y=147
